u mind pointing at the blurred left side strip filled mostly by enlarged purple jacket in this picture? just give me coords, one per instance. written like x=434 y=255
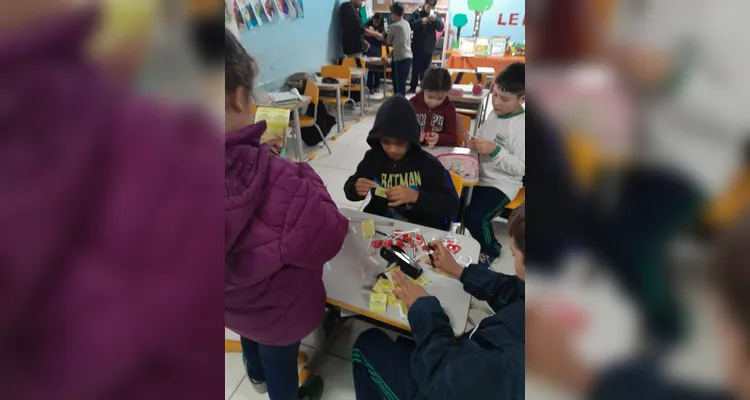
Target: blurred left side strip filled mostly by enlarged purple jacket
x=111 y=231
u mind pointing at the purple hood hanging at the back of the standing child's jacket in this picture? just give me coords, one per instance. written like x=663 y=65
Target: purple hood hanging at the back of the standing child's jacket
x=245 y=178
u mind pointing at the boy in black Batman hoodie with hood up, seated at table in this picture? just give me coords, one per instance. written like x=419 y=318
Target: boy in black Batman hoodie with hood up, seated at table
x=406 y=182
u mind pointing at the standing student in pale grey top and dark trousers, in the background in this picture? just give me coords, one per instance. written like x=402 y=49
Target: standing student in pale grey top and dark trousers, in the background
x=399 y=35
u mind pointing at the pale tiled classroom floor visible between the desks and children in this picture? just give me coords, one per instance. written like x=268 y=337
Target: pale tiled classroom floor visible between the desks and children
x=335 y=369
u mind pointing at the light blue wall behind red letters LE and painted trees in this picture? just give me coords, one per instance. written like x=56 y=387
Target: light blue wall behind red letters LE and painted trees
x=489 y=25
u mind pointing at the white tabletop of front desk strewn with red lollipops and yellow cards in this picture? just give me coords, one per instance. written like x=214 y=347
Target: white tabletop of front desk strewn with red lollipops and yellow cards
x=357 y=265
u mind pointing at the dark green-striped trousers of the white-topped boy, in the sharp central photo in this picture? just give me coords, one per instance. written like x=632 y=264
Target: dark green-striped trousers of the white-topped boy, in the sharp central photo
x=486 y=204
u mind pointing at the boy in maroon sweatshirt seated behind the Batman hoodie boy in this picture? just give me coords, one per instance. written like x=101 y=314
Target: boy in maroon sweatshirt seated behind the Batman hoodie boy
x=435 y=112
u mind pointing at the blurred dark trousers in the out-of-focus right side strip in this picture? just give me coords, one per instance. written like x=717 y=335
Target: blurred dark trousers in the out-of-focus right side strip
x=633 y=239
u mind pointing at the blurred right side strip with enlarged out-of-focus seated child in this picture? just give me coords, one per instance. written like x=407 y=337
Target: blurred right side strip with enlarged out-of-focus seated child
x=646 y=103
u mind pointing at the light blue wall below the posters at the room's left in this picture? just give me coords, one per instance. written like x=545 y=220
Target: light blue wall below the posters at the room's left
x=295 y=45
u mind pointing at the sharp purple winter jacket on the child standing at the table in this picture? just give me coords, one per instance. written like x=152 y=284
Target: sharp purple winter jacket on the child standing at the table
x=281 y=227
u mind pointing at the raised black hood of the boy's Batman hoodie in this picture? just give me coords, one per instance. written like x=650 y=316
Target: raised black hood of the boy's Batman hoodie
x=396 y=118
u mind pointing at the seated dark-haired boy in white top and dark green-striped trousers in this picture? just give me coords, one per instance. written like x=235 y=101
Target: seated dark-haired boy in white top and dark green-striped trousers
x=501 y=146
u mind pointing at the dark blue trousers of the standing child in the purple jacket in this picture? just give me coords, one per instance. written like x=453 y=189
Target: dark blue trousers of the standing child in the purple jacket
x=274 y=365
